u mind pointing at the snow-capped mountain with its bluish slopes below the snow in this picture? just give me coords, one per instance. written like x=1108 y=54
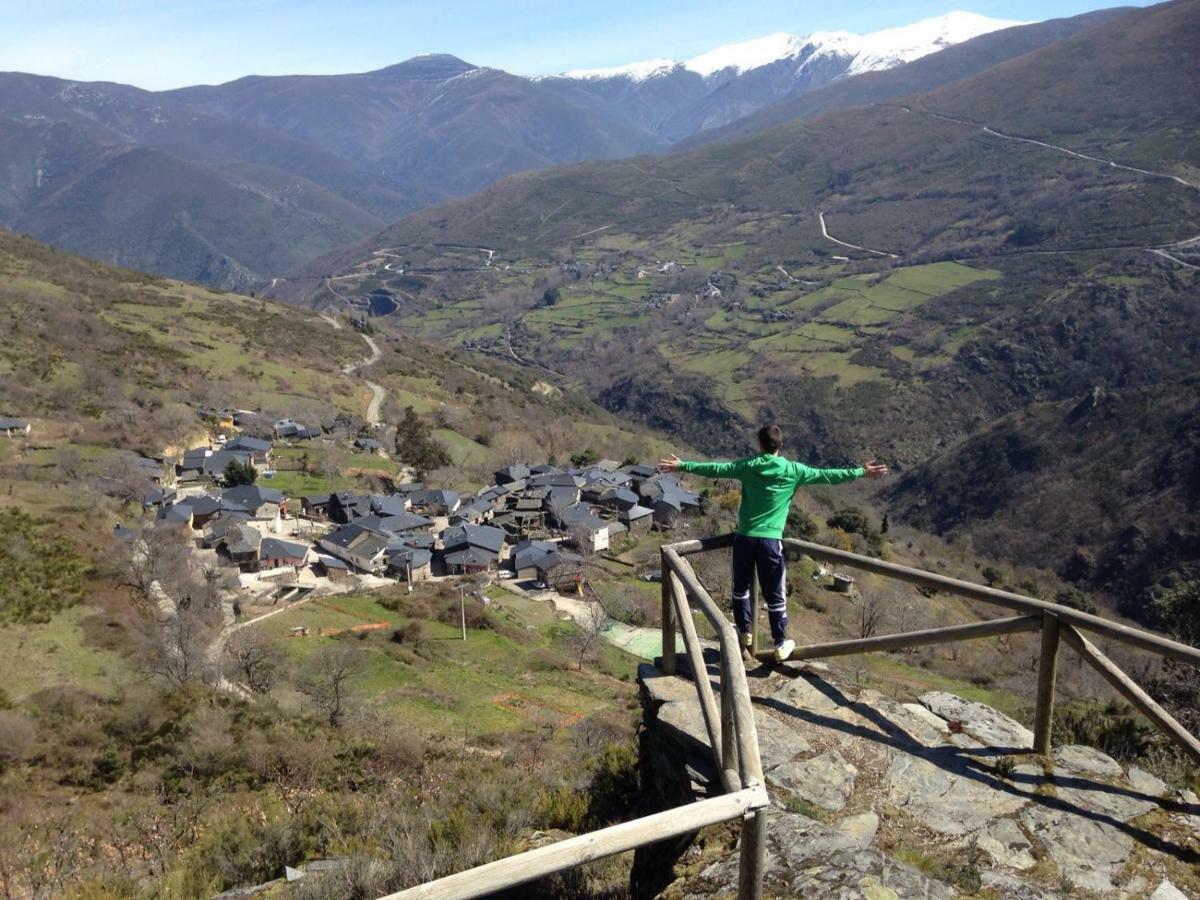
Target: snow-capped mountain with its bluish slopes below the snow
x=679 y=99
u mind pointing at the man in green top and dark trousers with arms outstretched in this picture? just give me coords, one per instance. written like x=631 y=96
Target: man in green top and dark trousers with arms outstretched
x=769 y=483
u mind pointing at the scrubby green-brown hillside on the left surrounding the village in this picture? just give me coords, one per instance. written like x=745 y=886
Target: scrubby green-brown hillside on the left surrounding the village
x=106 y=736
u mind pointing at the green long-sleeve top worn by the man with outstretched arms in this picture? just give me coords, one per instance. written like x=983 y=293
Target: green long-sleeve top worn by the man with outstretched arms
x=769 y=483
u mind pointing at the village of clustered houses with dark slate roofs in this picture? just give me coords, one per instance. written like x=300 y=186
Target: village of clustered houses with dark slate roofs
x=535 y=523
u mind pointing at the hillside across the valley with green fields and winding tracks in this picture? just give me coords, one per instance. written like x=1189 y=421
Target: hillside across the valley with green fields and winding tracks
x=884 y=281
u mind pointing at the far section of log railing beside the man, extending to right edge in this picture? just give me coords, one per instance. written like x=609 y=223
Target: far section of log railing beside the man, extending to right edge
x=1057 y=623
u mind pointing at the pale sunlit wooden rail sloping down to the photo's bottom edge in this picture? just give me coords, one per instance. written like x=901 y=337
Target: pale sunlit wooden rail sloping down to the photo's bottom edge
x=573 y=853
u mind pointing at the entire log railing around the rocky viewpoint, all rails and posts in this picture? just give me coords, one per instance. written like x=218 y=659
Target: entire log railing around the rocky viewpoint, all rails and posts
x=734 y=737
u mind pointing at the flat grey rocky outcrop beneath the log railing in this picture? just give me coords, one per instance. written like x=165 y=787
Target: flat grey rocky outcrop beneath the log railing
x=880 y=799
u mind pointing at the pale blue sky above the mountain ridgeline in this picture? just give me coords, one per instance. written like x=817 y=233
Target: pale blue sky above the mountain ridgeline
x=169 y=44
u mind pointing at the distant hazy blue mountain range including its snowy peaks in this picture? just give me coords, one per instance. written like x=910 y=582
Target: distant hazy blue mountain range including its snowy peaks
x=237 y=184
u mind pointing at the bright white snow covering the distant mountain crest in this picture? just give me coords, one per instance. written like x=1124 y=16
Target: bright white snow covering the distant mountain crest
x=874 y=51
